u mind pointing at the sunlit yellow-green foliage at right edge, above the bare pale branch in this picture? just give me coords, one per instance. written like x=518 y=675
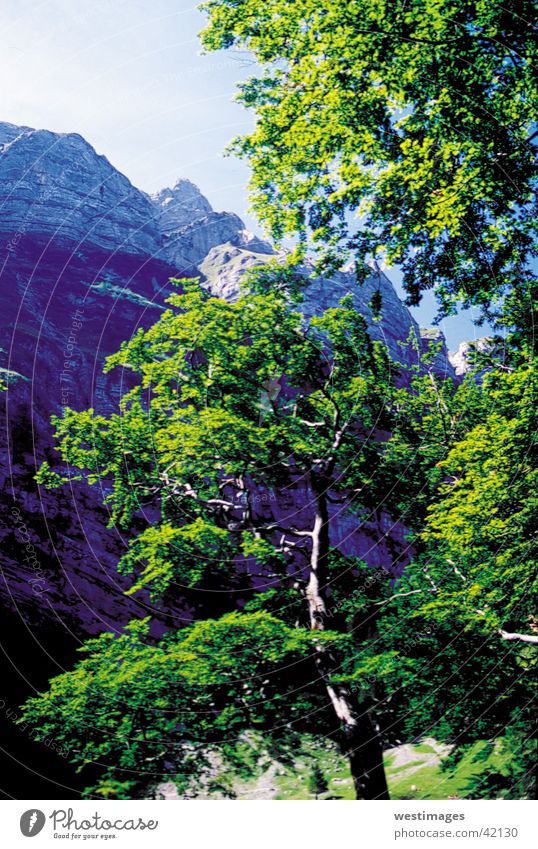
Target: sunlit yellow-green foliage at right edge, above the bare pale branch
x=482 y=526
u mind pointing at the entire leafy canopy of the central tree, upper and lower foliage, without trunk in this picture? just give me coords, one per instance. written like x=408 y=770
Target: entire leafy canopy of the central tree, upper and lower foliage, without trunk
x=227 y=401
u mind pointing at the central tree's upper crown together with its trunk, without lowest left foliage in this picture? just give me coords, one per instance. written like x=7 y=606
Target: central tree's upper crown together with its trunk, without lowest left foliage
x=231 y=402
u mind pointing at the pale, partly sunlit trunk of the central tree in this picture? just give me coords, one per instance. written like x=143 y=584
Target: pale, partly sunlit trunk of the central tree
x=360 y=739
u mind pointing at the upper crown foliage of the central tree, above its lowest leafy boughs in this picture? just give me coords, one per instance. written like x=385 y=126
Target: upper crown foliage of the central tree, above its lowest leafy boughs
x=229 y=397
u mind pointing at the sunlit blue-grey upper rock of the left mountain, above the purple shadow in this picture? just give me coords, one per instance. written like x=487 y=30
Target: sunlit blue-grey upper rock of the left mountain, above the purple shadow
x=55 y=187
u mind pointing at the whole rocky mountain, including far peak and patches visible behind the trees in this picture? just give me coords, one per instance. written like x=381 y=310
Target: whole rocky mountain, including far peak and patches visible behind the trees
x=84 y=261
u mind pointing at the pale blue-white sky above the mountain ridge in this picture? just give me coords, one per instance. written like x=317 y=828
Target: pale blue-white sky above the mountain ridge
x=129 y=76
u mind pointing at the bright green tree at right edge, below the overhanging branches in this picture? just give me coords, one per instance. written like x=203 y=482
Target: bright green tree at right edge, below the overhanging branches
x=456 y=646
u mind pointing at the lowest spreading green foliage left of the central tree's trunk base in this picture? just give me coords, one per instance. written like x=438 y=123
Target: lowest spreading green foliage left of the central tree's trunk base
x=142 y=711
